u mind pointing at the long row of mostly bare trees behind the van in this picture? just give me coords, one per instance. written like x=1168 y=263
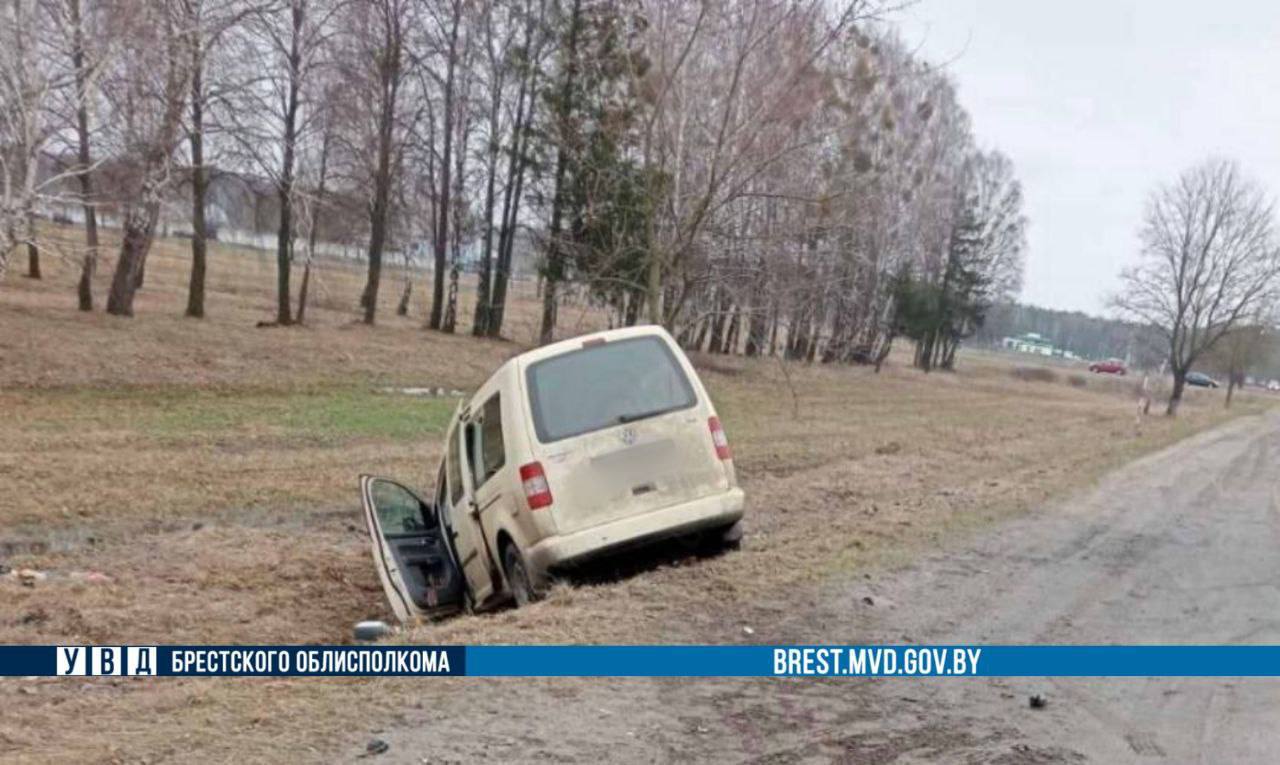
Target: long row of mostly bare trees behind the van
x=761 y=176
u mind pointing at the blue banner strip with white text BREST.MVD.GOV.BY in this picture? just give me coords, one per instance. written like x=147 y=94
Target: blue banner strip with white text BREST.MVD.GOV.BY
x=886 y=662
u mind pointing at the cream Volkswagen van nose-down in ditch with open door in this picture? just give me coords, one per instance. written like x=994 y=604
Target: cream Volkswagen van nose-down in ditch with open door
x=566 y=453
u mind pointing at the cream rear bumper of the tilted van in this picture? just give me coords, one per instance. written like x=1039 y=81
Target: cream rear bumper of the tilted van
x=708 y=512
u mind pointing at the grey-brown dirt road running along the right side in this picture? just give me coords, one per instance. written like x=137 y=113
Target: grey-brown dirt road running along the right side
x=1178 y=548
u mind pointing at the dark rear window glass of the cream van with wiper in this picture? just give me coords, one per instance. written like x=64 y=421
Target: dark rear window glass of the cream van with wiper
x=604 y=386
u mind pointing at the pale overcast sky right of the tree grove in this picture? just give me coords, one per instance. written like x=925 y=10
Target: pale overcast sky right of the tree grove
x=1099 y=102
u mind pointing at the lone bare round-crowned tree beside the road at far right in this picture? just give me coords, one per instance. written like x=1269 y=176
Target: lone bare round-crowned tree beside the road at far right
x=1209 y=260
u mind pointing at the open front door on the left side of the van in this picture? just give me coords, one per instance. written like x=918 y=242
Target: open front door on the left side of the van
x=412 y=553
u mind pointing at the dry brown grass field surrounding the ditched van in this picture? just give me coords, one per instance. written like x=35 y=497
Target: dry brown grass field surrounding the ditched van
x=195 y=482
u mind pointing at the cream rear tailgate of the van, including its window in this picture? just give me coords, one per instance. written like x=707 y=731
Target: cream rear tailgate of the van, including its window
x=621 y=430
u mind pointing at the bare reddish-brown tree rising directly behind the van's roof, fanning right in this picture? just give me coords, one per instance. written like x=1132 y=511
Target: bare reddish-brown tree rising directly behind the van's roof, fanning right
x=725 y=83
